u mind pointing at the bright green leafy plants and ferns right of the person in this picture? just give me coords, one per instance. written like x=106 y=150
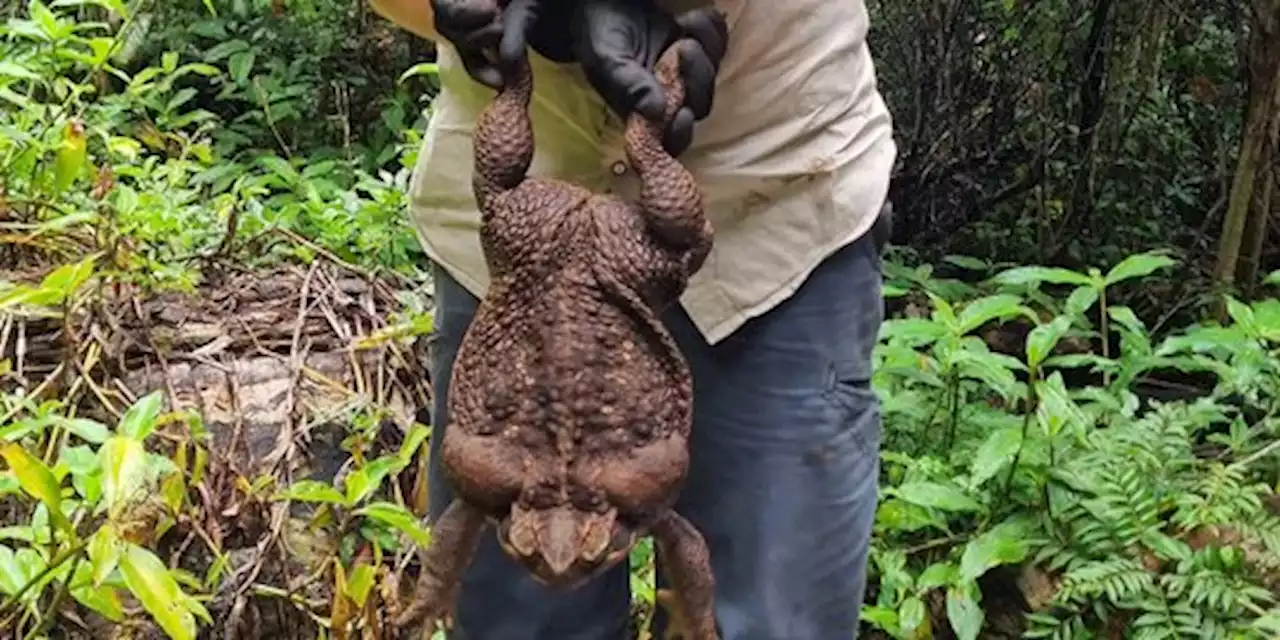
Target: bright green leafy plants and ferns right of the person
x=996 y=460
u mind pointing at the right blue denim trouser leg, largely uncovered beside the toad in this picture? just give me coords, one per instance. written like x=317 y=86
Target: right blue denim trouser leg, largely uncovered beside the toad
x=785 y=455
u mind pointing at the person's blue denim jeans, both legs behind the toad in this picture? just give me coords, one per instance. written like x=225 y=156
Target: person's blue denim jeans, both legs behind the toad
x=783 y=483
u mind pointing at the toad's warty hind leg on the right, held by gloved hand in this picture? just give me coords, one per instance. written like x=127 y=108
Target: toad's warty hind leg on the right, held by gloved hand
x=669 y=194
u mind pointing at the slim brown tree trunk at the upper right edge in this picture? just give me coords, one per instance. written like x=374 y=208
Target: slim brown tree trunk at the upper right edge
x=1264 y=70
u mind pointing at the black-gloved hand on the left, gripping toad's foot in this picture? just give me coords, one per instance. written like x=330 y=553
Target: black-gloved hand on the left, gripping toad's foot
x=492 y=35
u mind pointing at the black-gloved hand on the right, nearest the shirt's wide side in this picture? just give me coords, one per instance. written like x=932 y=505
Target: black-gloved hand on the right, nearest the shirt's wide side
x=619 y=42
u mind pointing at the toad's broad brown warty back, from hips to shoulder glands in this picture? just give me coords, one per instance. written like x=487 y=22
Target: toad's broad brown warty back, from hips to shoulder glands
x=568 y=350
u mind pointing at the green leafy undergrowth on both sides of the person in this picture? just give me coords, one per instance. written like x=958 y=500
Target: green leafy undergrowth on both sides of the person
x=1057 y=463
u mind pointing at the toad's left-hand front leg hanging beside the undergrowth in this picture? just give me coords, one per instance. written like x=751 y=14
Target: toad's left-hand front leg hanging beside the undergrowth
x=455 y=540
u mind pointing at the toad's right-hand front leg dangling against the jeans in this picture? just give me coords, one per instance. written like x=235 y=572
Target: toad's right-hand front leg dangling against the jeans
x=687 y=561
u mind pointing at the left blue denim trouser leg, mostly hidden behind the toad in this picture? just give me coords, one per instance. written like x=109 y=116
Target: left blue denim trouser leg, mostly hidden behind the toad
x=499 y=601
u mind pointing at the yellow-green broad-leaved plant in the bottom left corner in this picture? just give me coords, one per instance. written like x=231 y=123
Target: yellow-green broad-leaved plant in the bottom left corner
x=90 y=538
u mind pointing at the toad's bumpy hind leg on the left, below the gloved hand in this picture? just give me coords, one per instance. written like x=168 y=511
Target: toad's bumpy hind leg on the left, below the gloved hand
x=505 y=139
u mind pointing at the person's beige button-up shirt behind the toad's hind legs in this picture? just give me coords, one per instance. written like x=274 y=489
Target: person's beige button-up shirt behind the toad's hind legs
x=794 y=159
